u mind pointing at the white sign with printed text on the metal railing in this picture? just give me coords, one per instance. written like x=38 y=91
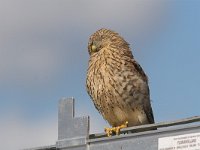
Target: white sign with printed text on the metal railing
x=180 y=142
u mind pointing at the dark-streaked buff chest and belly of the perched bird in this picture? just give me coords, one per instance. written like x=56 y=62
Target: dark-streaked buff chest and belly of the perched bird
x=113 y=83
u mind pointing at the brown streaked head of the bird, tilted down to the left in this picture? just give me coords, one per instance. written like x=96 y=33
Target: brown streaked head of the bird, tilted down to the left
x=103 y=38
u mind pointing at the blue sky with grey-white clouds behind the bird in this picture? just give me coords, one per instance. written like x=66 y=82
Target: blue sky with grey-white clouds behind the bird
x=43 y=57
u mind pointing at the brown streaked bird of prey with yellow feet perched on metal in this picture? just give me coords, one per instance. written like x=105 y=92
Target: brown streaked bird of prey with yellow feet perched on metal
x=116 y=83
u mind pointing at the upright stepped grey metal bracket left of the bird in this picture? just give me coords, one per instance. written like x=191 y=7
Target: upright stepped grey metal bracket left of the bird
x=72 y=131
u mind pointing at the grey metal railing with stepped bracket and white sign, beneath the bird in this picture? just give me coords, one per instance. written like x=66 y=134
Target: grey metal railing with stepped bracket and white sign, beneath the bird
x=73 y=134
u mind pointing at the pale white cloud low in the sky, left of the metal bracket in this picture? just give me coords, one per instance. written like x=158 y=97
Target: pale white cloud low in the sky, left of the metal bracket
x=16 y=133
